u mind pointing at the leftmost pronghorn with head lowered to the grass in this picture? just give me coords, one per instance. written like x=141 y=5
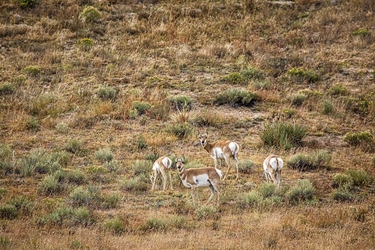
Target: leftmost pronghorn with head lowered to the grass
x=161 y=165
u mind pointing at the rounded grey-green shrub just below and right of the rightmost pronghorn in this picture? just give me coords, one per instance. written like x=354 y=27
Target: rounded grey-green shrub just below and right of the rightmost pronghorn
x=303 y=191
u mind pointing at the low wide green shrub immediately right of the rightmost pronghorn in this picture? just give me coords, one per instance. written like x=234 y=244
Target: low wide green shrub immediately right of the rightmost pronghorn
x=303 y=162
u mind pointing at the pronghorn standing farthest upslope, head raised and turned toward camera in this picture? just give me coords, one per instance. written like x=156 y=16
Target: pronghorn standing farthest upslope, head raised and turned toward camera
x=221 y=150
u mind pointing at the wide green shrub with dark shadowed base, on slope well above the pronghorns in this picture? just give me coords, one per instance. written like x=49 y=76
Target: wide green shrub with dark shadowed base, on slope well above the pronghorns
x=236 y=97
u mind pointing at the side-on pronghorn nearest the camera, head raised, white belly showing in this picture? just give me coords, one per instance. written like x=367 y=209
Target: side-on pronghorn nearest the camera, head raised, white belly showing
x=199 y=177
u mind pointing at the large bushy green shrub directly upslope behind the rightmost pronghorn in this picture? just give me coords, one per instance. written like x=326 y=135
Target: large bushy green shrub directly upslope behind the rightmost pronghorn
x=283 y=135
